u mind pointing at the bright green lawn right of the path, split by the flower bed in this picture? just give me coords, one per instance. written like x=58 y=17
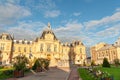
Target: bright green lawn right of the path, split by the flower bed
x=85 y=75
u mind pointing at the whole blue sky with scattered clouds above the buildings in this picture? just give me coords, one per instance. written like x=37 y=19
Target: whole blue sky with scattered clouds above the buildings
x=89 y=21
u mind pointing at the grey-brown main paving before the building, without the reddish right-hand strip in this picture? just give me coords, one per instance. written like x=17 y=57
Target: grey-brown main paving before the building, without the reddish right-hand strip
x=52 y=74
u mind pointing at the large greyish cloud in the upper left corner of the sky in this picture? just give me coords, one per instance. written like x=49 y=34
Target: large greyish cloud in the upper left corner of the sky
x=10 y=13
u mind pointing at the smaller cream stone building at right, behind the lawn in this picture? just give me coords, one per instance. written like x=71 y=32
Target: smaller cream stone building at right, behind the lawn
x=104 y=50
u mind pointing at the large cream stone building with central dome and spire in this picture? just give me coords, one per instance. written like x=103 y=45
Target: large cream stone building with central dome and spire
x=45 y=46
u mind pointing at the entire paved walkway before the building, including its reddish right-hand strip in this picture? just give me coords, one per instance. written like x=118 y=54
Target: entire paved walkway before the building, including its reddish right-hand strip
x=52 y=74
